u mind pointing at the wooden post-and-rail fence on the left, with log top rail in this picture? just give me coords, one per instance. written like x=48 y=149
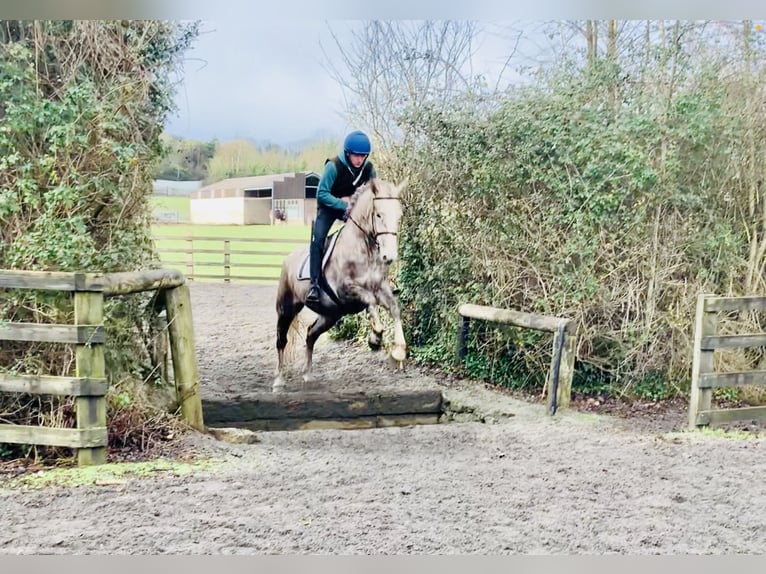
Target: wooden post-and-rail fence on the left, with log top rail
x=88 y=386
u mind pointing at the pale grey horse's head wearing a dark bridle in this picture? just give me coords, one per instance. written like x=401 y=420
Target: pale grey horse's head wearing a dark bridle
x=377 y=211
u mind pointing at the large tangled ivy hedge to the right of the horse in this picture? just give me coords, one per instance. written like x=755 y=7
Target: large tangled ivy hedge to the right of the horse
x=585 y=196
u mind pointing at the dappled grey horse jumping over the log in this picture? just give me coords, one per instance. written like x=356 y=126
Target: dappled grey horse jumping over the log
x=354 y=278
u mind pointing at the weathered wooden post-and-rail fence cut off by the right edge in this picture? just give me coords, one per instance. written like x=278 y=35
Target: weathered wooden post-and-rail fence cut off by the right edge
x=704 y=376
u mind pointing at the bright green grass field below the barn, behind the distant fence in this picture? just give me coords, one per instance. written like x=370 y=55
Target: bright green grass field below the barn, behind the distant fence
x=208 y=256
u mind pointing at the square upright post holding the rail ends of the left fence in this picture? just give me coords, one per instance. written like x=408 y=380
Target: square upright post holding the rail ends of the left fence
x=89 y=357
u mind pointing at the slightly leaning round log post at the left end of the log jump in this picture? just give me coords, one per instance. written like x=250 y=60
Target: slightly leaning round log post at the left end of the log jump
x=181 y=333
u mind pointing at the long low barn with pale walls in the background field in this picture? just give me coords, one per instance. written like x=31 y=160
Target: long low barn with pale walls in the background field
x=255 y=200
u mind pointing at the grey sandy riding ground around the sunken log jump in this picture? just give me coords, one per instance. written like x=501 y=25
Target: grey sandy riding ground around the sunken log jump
x=520 y=482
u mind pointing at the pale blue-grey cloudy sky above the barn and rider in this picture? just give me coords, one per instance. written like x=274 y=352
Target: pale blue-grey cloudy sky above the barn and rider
x=267 y=81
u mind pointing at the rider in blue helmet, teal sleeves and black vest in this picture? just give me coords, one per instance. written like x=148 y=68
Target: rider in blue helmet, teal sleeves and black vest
x=342 y=175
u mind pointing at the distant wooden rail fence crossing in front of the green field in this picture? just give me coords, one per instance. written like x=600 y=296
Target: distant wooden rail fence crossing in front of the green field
x=234 y=263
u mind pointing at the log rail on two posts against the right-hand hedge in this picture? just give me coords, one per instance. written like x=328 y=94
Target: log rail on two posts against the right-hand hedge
x=559 y=382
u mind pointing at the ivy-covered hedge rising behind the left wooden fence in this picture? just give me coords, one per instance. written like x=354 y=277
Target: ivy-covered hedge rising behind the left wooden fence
x=82 y=107
